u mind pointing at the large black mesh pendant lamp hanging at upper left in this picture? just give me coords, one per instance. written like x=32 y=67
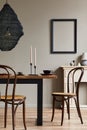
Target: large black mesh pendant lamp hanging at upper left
x=10 y=28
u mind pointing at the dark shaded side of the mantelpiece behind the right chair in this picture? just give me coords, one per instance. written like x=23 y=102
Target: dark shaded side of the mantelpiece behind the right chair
x=57 y=85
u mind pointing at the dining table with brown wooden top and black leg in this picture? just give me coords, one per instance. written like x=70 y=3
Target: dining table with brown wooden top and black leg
x=32 y=79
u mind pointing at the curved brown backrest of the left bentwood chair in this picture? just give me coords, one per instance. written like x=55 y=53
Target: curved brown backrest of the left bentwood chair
x=6 y=72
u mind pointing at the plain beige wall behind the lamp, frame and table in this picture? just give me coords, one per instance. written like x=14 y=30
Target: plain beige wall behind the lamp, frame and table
x=35 y=17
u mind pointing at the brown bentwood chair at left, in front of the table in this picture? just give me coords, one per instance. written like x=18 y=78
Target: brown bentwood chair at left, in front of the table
x=9 y=96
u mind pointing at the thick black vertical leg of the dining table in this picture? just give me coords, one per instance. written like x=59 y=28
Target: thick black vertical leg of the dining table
x=40 y=103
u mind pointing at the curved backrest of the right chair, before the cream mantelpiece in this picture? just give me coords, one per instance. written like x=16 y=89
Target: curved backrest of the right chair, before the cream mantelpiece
x=73 y=79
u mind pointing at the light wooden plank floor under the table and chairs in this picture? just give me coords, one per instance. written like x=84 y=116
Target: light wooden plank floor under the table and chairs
x=72 y=124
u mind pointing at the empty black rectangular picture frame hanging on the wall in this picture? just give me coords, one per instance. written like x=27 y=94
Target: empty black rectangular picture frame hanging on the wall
x=63 y=36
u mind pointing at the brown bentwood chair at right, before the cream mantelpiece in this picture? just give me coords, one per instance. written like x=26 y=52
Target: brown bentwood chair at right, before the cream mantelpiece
x=72 y=92
